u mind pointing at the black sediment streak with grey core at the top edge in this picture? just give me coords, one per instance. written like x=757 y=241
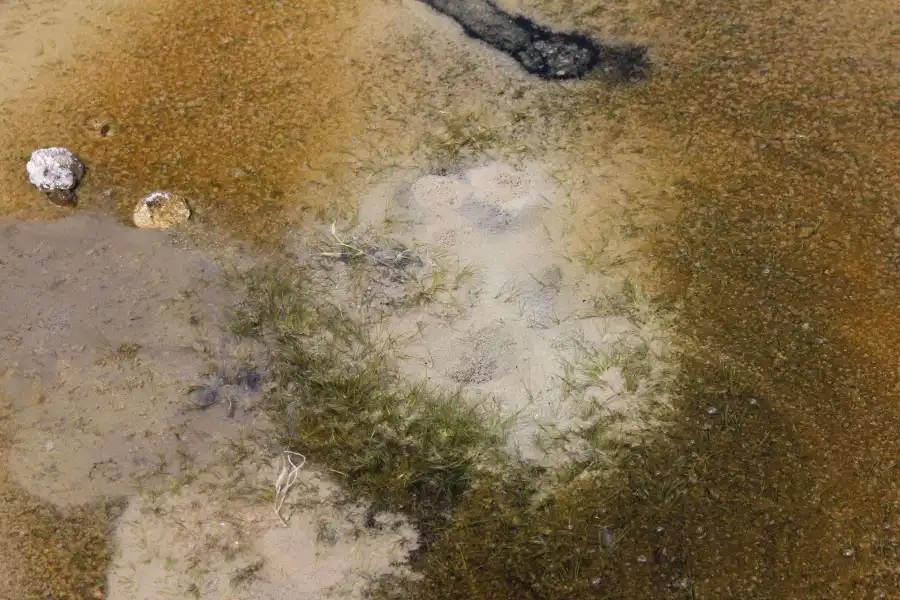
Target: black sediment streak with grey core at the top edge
x=541 y=51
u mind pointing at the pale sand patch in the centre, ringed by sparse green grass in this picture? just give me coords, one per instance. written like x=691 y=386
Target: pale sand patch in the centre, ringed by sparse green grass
x=474 y=275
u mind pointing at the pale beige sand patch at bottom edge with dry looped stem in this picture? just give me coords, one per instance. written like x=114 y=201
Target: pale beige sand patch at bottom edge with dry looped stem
x=217 y=536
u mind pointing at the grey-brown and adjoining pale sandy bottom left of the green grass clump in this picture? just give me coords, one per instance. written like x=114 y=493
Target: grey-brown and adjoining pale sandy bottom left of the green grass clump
x=106 y=332
